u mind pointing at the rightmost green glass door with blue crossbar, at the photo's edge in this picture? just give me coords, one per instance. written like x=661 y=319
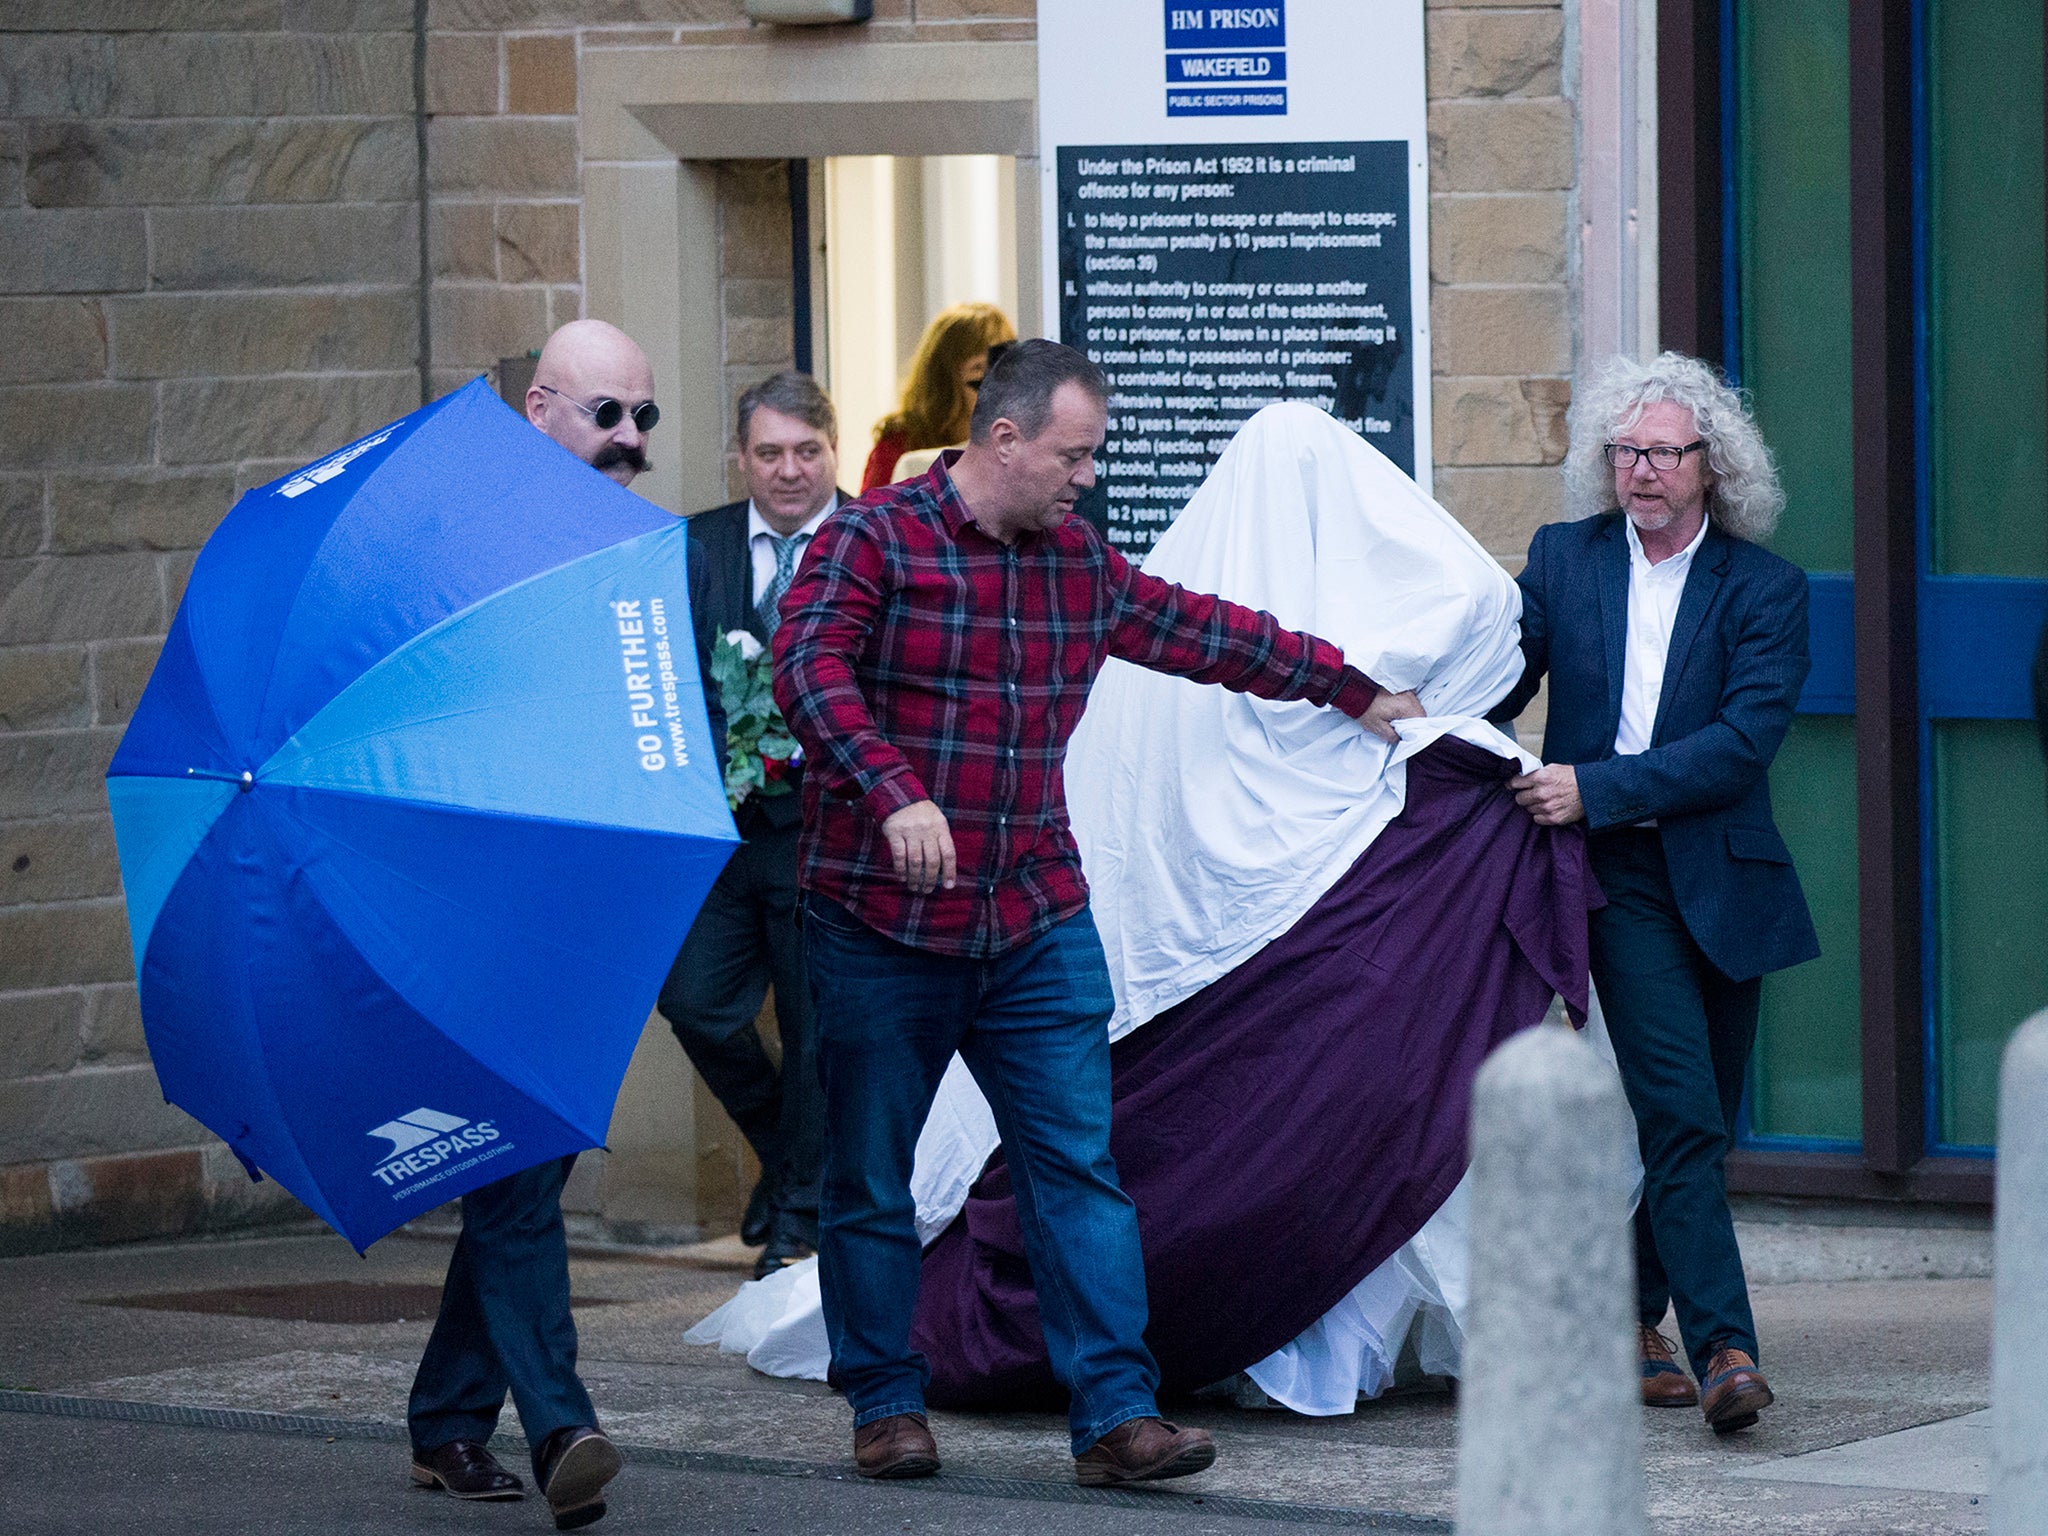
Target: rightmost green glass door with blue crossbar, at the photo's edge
x=1986 y=548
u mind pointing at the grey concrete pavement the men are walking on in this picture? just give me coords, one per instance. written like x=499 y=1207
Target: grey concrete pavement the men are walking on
x=718 y=1447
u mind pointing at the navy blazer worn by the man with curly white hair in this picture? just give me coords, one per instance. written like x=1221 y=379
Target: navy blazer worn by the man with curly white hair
x=1734 y=673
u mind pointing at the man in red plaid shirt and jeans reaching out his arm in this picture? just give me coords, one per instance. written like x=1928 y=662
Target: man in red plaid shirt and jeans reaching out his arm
x=935 y=656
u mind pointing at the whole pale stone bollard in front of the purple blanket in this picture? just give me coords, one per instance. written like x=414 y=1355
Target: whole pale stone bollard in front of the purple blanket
x=1549 y=1410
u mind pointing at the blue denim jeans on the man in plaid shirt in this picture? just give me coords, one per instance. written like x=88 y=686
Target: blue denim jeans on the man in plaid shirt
x=1033 y=1029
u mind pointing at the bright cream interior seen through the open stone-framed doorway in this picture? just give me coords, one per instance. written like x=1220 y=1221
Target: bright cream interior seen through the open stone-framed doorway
x=904 y=239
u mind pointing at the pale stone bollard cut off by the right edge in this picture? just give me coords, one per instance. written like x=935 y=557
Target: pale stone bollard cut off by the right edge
x=2020 y=1314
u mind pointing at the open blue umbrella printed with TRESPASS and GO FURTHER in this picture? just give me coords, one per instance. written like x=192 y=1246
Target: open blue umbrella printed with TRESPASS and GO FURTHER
x=417 y=812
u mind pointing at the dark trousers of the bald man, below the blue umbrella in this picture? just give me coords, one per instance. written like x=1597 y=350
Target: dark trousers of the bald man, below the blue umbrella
x=505 y=1320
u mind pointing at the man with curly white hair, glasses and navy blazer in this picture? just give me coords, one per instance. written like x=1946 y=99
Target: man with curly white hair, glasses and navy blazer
x=1676 y=648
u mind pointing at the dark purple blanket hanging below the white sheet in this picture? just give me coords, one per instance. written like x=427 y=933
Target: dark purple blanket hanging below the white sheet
x=1297 y=1121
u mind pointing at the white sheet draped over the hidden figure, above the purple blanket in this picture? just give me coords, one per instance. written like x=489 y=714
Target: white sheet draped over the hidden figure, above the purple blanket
x=1211 y=822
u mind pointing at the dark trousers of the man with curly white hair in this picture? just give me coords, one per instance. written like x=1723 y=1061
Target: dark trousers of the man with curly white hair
x=1682 y=1035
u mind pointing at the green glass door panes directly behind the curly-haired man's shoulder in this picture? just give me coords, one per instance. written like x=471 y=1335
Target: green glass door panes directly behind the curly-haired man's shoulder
x=1791 y=351
